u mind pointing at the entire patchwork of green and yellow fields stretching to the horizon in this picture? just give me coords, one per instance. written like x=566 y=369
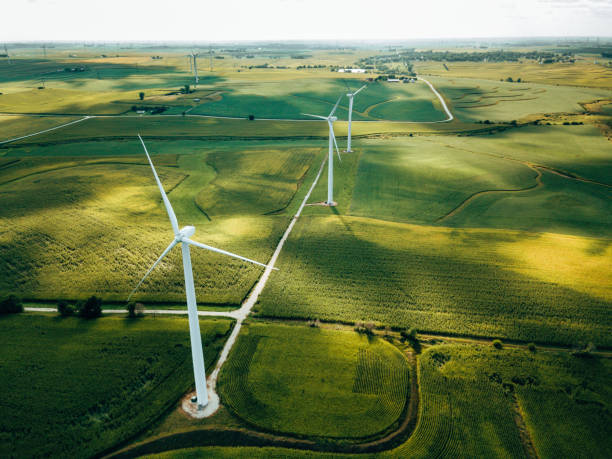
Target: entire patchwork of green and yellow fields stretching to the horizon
x=480 y=230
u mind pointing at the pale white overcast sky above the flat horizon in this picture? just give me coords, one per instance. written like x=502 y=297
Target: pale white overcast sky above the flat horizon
x=257 y=20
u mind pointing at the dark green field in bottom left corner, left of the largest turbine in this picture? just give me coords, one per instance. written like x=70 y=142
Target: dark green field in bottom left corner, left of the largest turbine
x=73 y=387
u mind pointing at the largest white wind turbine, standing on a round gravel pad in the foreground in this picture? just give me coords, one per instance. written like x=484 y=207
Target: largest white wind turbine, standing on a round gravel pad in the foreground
x=182 y=236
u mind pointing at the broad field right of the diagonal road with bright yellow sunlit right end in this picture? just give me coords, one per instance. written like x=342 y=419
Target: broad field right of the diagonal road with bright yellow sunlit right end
x=467 y=281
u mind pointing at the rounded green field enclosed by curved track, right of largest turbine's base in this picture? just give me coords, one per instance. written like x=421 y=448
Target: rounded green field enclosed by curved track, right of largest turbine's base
x=315 y=382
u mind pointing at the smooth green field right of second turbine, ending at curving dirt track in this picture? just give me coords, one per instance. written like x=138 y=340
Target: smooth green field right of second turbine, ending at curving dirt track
x=418 y=180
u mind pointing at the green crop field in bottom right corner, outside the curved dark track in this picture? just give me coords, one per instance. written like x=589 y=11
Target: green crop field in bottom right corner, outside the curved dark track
x=547 y=387
